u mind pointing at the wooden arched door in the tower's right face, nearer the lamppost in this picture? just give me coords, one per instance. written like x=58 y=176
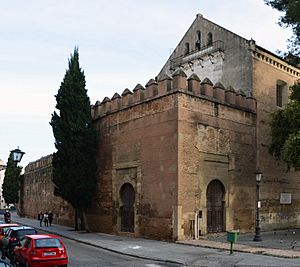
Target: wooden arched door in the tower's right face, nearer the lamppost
x=215 y=207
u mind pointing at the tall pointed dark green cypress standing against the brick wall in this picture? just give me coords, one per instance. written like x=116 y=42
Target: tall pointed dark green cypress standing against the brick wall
x=74 y=163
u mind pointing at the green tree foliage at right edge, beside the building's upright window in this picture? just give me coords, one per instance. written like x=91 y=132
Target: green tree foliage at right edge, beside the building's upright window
x=285 y=131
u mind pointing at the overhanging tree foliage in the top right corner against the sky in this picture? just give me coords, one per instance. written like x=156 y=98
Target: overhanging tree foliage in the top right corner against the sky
x=290 y=18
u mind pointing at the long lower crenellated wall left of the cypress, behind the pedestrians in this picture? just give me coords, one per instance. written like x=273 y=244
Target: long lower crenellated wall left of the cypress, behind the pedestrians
x=37 y=193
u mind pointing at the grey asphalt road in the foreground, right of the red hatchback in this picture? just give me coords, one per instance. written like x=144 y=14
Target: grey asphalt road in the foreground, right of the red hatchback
x=81 y=255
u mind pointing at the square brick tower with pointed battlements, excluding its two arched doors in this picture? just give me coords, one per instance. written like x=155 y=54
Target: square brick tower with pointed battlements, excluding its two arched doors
x=169 y=140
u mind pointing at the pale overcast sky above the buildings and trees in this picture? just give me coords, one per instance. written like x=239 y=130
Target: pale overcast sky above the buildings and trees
x=121 y=43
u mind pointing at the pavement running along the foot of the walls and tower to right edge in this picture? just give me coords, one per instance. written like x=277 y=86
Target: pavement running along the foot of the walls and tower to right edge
x=246 y=252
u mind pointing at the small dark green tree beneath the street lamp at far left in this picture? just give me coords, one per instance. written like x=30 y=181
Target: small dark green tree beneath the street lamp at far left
x=11 y=183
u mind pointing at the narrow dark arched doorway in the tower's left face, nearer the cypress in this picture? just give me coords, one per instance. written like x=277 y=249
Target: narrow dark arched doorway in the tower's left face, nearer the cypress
x=127 y=195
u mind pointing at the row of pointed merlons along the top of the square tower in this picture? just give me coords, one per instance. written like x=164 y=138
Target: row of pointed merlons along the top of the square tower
x=166 y=85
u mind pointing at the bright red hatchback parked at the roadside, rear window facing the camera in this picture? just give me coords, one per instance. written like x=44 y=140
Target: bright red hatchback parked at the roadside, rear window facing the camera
x=41 y=250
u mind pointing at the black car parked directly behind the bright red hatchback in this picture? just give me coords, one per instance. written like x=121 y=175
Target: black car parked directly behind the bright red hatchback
x=13 y=237
